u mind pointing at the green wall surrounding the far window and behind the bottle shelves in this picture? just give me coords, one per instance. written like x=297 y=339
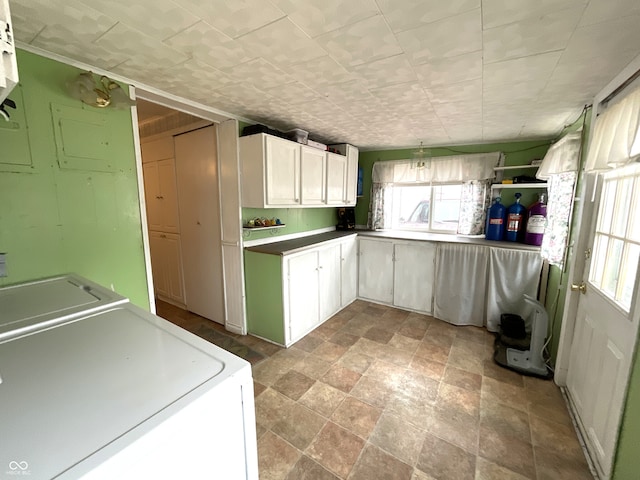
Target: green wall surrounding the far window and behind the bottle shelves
x=516 y=153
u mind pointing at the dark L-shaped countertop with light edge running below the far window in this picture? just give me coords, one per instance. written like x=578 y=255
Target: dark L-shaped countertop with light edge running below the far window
x=287 y=247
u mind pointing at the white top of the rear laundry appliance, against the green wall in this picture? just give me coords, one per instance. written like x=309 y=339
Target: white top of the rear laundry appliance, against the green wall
x=30 y=306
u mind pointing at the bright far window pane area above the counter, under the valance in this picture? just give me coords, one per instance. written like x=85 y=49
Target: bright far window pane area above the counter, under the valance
x=423 y=207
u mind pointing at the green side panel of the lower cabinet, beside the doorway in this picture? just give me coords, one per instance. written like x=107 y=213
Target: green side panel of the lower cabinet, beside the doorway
x=263 y=283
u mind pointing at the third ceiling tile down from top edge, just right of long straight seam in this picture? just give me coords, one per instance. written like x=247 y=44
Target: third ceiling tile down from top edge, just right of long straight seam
x=533 y=68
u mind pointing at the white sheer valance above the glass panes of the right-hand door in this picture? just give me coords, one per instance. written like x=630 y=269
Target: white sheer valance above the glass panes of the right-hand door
x=616 y=135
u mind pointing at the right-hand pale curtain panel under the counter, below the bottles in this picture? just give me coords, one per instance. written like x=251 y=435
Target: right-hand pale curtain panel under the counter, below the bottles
x=512 y=273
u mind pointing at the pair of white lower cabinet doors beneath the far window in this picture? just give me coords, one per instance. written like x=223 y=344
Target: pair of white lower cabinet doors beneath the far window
x=397 y=272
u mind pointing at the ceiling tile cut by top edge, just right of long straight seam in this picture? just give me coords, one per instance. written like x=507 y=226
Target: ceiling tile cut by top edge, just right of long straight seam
x=501 y=12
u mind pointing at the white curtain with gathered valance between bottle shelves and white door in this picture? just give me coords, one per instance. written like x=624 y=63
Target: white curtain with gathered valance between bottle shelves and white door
x=559 y=168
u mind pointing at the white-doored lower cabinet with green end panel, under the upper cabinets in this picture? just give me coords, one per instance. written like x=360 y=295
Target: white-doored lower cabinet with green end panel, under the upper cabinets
x=314 y=285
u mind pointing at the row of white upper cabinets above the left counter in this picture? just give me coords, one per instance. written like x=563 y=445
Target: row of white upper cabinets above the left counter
x=281 y=173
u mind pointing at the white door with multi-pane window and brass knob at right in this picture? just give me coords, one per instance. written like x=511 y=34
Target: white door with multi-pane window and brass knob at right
x=605 y=328
